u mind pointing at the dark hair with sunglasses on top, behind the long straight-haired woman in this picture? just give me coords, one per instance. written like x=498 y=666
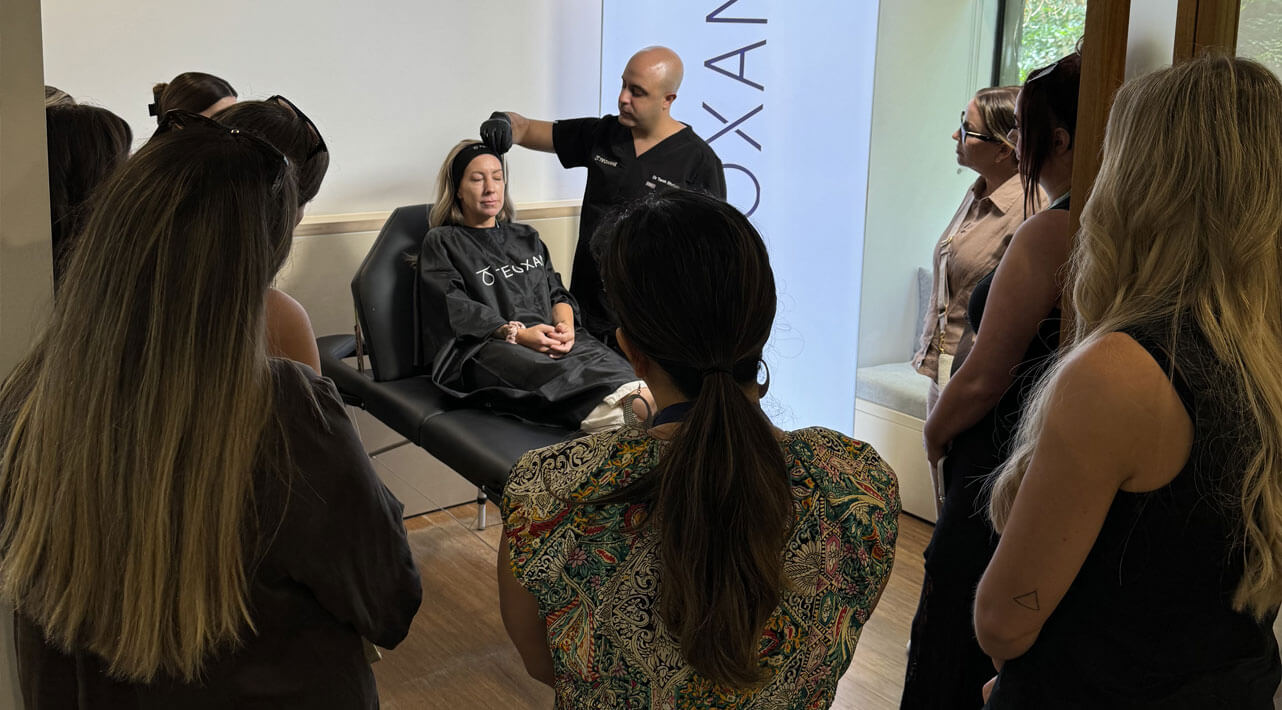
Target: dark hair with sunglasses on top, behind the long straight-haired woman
x=290 y=134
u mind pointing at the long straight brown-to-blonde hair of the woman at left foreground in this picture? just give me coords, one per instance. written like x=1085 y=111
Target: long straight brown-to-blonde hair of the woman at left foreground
x=133 y=429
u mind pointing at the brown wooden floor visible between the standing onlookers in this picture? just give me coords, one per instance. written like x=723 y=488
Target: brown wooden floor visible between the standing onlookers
x=458 y=657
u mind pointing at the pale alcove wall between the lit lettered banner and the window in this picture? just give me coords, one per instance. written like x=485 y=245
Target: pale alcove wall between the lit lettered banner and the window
x=931 y=58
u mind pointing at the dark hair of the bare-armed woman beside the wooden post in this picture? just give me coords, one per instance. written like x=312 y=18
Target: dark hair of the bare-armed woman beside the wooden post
x=1048 y=102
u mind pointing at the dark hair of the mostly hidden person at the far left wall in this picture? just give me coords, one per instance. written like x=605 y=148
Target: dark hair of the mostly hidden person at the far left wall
x=87 y=145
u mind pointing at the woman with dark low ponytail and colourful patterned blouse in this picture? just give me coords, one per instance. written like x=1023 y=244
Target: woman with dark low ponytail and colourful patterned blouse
x=706 y=559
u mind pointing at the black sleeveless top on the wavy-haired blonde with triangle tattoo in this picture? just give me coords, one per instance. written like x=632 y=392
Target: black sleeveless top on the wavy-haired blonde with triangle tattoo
x=1149 y=622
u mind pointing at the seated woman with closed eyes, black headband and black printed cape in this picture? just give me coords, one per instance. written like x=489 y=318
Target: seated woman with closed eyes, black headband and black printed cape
x=497 y=326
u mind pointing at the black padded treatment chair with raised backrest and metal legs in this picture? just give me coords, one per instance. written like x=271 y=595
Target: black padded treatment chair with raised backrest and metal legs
x=479 y=444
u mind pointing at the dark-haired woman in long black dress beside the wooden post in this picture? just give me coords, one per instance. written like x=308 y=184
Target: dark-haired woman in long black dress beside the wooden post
x=1015 y=313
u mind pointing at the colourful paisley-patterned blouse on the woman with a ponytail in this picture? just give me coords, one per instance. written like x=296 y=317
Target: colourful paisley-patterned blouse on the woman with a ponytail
x=594 y=574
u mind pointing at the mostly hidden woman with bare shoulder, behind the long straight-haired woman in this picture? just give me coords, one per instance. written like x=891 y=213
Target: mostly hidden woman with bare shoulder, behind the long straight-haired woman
x=278 y=120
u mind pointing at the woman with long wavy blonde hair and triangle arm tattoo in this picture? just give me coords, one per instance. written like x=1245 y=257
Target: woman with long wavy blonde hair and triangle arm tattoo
x=1140 y=562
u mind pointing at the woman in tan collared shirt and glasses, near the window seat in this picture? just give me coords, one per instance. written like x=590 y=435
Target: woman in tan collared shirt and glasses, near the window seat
x=979 y=234
